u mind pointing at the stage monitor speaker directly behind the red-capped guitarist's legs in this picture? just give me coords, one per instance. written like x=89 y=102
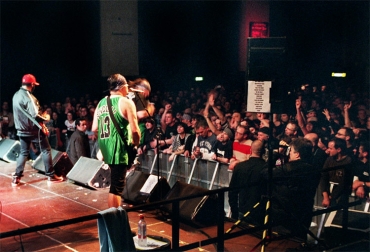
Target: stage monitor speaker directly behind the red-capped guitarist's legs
x=61 y=163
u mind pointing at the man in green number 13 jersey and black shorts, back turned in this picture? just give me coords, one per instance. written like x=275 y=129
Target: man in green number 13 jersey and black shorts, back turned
x=111 y=144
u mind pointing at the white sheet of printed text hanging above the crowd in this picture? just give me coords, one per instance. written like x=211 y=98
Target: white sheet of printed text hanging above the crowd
x=259 y=96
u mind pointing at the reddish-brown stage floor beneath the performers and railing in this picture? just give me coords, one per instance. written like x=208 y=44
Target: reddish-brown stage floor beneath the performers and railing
x=38 y=202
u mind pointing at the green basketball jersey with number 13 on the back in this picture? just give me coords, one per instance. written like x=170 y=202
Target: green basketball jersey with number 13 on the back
x=110 y=141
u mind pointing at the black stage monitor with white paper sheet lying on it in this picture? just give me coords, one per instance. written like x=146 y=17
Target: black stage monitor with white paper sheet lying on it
x=135 y=192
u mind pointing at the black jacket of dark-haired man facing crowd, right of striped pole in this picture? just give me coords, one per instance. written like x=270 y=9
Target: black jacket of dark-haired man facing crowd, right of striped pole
x=294 y=190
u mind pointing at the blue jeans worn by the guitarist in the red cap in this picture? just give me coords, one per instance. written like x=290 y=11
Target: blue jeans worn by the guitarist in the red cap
x=45 y=154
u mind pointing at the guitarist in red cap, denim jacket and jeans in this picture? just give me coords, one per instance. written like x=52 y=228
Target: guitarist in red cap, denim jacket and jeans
x=28 y=119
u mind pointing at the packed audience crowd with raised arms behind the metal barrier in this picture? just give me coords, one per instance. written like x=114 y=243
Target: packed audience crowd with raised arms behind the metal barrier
x=215 y=124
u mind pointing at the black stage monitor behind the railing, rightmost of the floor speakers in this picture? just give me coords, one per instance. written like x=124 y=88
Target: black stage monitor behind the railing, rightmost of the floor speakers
x=199 y=211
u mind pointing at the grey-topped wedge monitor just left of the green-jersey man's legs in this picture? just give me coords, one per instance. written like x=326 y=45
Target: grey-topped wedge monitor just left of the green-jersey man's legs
x=90 y=172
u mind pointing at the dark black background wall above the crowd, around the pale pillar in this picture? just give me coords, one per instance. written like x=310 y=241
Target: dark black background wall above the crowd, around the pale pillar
x=58 y=41
